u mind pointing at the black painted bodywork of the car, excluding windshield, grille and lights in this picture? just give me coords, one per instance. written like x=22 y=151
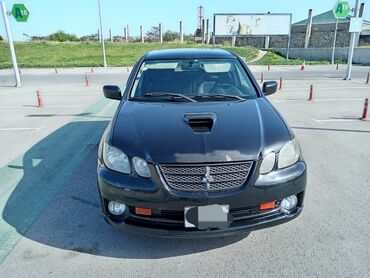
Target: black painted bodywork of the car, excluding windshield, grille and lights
x=159 y=132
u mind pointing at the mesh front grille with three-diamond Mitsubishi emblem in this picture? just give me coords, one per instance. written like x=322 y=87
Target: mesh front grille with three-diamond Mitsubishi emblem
x=205 y=177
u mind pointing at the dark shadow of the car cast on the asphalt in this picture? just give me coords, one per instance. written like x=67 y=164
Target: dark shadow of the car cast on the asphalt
x=56 y=202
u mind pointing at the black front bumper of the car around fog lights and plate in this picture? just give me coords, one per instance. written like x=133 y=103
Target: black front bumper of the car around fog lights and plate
x=167 y=219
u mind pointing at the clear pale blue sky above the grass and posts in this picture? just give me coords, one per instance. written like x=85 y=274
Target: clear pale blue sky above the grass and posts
x=81 y=16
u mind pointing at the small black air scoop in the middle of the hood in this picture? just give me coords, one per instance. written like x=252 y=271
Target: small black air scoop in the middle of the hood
x=200 y=122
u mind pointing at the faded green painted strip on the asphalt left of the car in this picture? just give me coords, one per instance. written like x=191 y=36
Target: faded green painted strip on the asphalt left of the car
x=31 y=182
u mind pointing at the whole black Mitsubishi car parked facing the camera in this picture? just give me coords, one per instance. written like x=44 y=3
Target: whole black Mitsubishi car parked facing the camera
x=196 y=149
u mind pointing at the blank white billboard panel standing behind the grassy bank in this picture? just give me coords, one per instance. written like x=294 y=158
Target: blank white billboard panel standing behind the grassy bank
x=251 y=24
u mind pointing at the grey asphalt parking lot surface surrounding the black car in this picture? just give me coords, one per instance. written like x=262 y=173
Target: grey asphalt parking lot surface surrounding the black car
x=50 y=222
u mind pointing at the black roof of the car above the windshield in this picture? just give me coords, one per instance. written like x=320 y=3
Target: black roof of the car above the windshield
x=189 y=53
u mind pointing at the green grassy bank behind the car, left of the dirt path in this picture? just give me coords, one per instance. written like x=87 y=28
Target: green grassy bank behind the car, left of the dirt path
x=86 y=54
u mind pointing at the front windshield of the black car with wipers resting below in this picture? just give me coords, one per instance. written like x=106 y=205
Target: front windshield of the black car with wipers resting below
x=202 y=80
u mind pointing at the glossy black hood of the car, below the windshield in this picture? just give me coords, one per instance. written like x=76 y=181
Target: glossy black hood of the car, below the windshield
x=160 y=132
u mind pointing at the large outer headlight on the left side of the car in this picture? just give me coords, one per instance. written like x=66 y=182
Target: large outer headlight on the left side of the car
x=116 y=160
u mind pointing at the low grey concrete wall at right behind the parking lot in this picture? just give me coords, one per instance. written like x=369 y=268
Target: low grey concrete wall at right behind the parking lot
x=360 y=55
